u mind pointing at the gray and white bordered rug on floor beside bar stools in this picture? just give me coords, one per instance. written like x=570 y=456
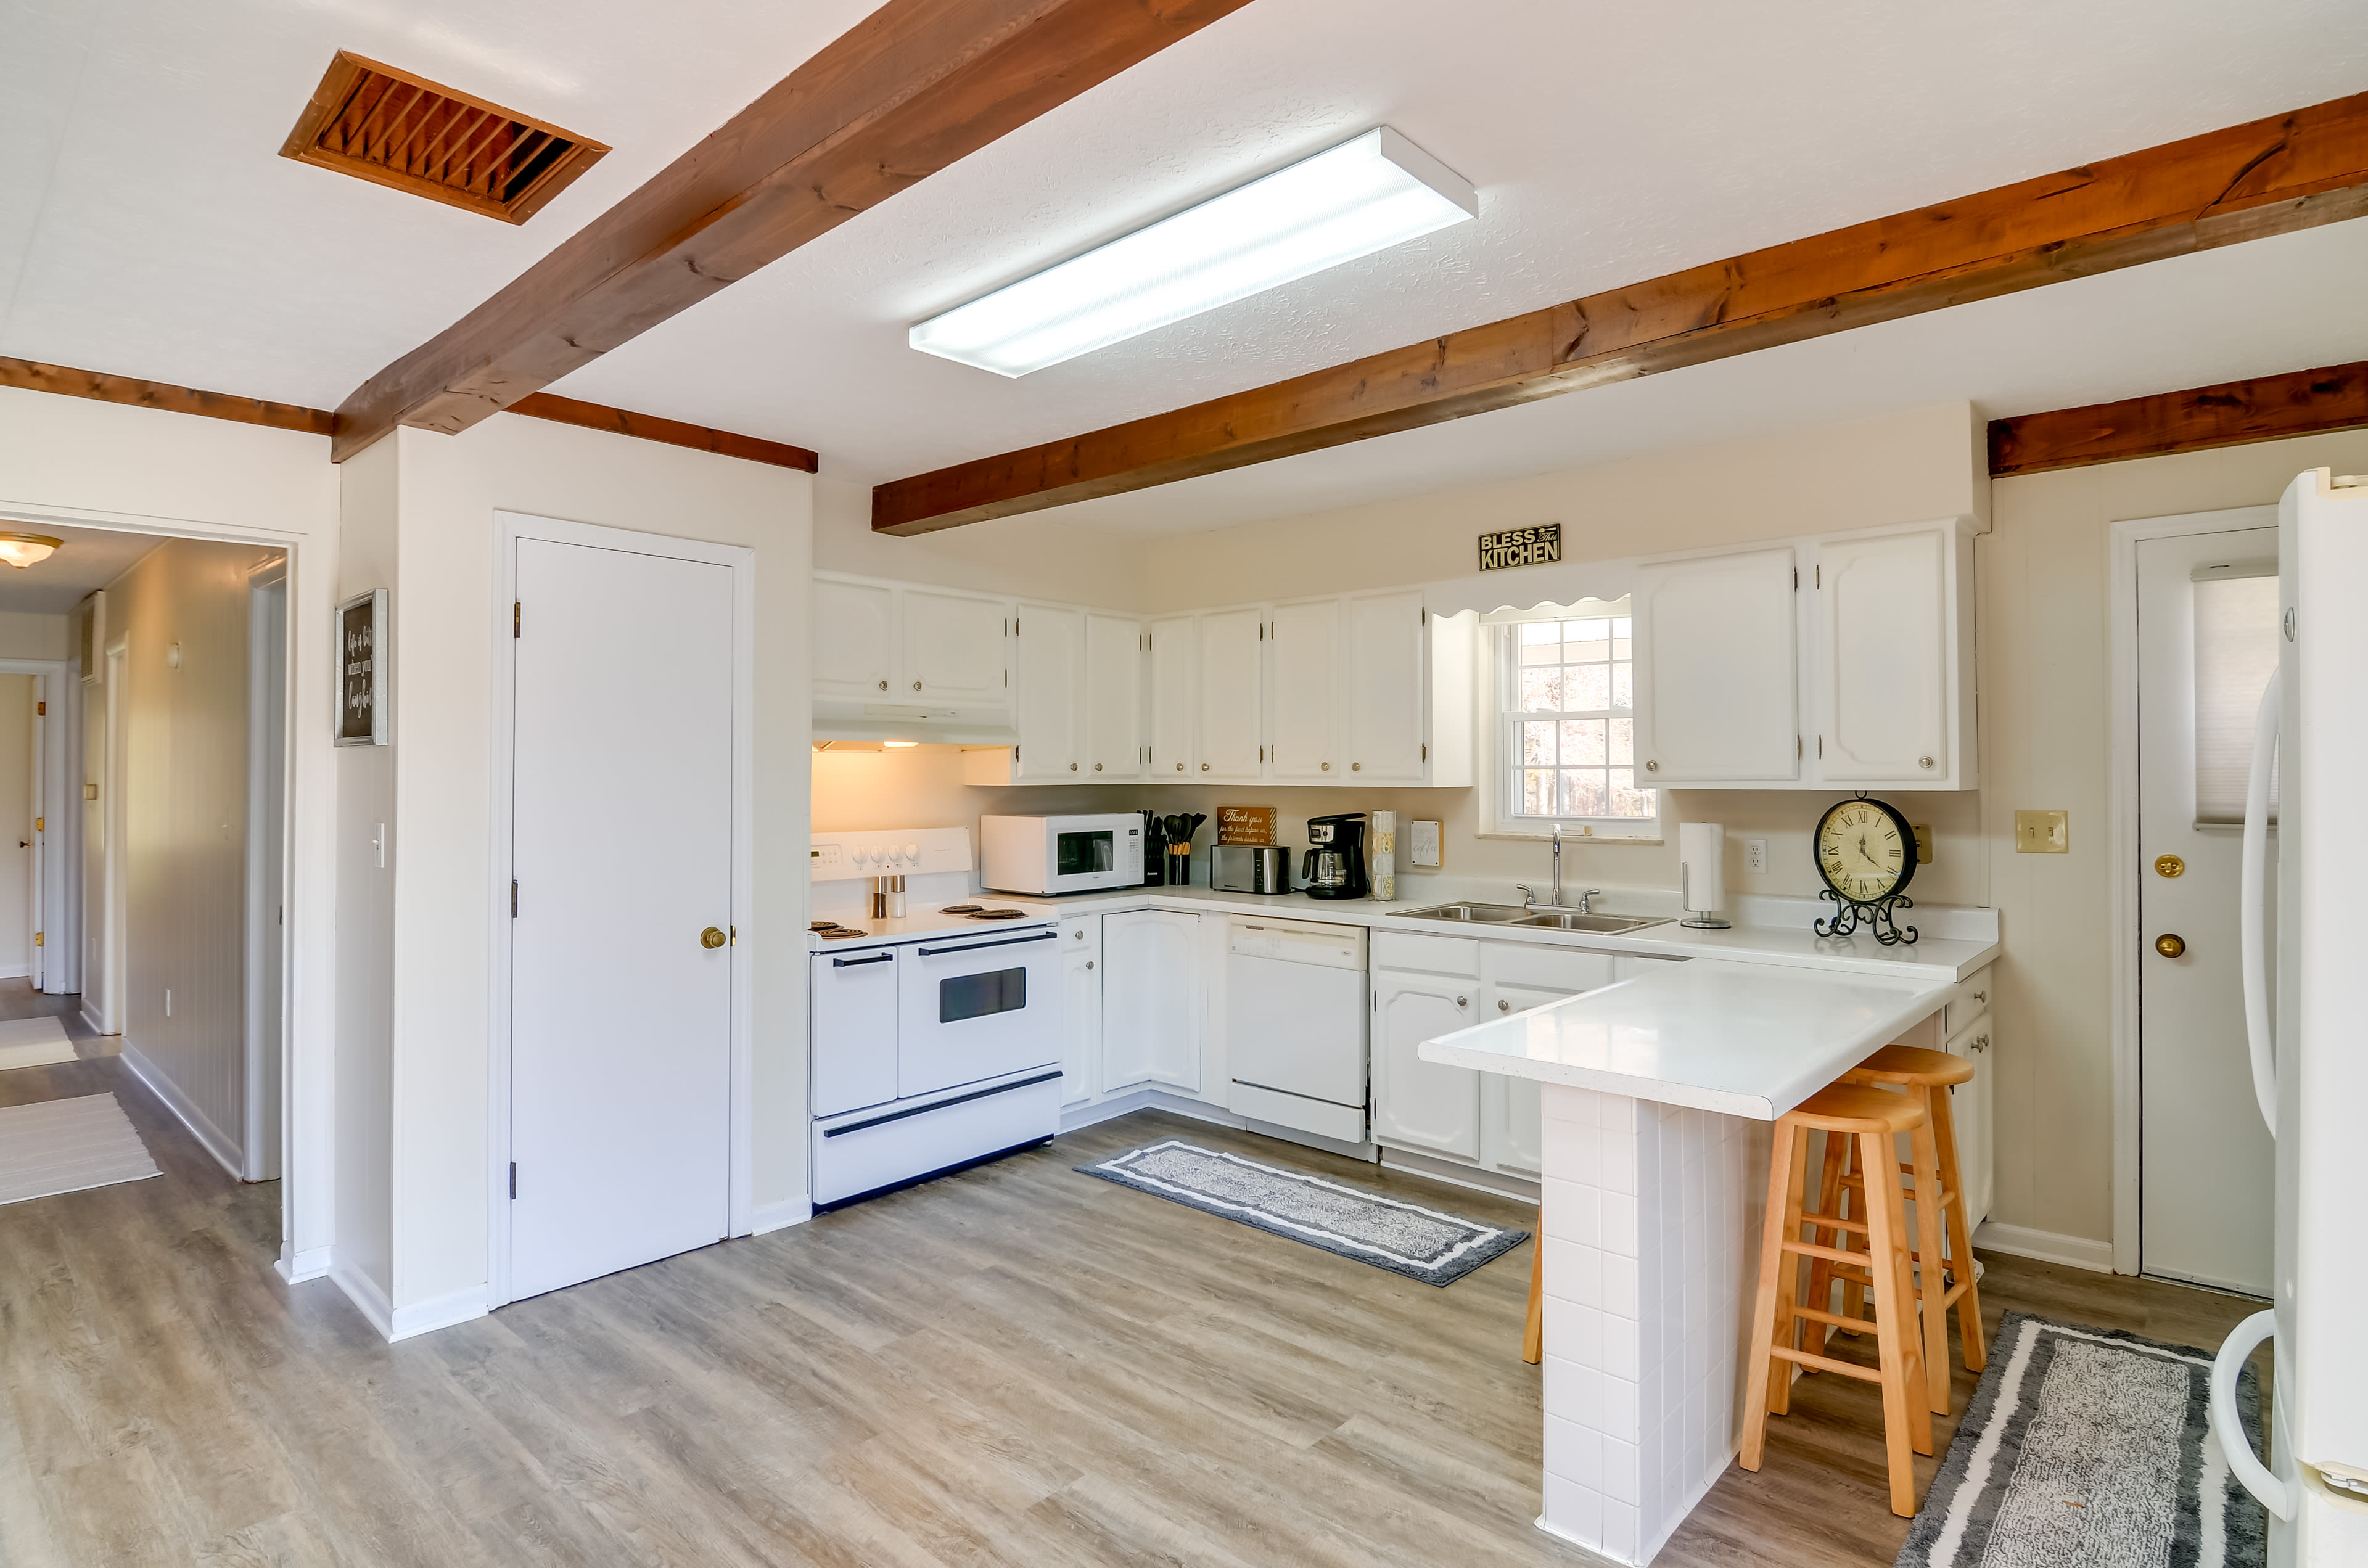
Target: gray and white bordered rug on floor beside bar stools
x=2087 y=1448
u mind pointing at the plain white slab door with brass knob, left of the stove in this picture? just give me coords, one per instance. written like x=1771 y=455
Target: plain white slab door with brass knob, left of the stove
x=622 y=837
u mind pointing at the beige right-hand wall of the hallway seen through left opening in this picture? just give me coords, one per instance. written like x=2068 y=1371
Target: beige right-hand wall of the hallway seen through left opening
x=186 y=828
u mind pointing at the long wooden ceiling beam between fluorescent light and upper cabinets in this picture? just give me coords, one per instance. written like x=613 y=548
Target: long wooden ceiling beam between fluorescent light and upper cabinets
x=2244 y=184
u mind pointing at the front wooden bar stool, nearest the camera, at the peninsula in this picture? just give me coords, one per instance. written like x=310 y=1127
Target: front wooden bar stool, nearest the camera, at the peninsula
x=1872 y=1119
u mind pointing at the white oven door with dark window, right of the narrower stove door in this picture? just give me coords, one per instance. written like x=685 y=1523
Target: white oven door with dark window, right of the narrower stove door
x=977 y=1008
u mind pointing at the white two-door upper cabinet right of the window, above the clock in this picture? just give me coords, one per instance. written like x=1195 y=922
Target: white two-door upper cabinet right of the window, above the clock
x=1839 y=662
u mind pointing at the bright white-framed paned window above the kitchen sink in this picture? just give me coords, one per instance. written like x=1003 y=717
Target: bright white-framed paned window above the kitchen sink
x=1566 y=726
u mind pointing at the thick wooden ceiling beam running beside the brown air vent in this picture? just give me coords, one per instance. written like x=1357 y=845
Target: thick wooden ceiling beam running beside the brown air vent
x=903 y=94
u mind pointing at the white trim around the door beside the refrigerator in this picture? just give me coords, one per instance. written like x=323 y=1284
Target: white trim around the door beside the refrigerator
x=2123 y=847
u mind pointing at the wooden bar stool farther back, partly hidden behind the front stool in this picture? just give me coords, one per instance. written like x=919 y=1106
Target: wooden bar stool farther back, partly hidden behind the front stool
x=1941 y=1221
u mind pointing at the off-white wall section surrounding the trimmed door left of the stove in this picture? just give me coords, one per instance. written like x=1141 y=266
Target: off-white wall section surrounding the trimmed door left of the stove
x=444 y=494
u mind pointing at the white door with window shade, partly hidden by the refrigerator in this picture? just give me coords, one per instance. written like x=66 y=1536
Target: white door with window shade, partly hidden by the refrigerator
x=2206 y=1190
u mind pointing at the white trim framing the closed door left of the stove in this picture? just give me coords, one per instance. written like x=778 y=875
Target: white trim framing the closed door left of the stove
x=740 y=560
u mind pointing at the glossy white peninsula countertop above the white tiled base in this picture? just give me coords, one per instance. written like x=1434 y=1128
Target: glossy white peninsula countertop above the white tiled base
x=1720 y=1036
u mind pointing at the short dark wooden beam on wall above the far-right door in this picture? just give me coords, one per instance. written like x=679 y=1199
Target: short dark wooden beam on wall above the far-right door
x=2265 y=409
